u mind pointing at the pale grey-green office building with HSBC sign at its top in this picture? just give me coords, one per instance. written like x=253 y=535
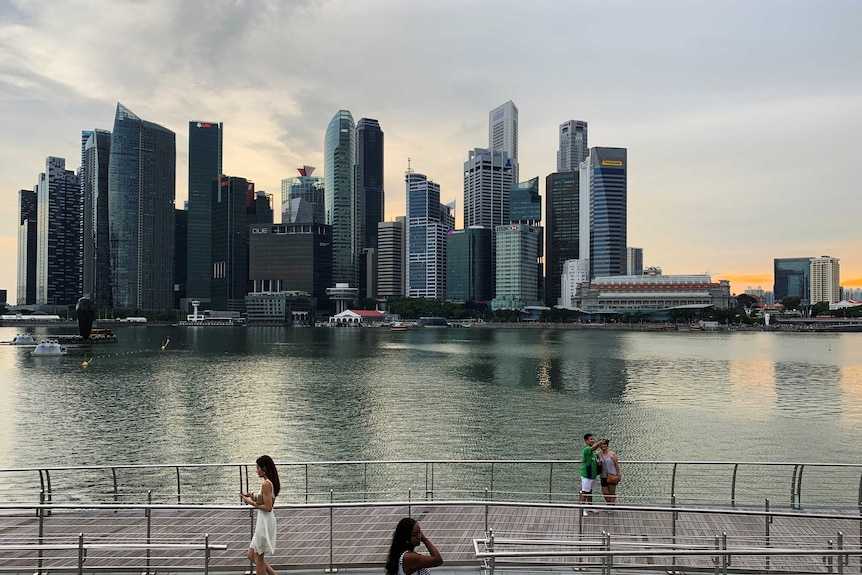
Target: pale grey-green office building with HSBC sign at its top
x=517 y=272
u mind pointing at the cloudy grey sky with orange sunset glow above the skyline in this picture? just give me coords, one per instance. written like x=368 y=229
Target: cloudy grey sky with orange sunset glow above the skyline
x=741 y=118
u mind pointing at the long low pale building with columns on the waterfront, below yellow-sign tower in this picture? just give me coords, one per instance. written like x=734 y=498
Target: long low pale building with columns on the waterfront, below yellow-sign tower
x=652 y=294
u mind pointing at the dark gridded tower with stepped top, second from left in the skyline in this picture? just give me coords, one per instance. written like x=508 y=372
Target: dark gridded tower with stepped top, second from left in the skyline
x=59 y=208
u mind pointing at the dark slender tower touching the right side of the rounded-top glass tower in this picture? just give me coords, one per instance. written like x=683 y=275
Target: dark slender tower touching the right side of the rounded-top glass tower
x=369 y=177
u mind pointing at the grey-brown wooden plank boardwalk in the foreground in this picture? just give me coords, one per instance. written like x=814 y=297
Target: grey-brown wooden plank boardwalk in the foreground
x=317 y=538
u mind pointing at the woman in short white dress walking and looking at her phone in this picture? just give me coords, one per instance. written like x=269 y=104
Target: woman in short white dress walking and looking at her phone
x=263 y=542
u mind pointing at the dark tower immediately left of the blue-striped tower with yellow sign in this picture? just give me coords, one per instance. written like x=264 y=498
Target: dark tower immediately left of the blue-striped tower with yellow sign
x=563 y=221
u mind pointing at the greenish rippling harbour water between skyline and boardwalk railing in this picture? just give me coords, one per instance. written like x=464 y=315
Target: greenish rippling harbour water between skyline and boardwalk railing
x=224 y=394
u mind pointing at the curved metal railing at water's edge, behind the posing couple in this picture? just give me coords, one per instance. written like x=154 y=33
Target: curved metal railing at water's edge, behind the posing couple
x=786 y=484
